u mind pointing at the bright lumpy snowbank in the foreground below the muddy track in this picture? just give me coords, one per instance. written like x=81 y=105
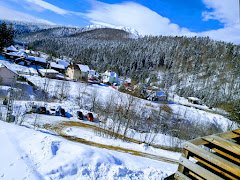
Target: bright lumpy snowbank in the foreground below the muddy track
x=29 y=154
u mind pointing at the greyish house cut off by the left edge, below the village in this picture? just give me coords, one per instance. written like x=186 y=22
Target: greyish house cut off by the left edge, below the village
x=7 y=76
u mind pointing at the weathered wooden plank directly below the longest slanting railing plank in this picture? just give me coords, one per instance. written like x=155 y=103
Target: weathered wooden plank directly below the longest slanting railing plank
x=198 y=169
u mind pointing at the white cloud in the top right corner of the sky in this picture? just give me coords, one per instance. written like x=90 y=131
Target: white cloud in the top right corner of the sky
x=226 y=11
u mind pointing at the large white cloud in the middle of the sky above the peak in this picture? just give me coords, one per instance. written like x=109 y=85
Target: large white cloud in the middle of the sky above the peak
x=136 y=16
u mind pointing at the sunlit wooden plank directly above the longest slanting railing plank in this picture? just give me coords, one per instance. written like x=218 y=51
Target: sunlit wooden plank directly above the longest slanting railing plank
x=228 y=145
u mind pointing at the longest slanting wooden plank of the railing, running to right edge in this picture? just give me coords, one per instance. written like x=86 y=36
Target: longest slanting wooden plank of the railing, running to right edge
x=214 y=159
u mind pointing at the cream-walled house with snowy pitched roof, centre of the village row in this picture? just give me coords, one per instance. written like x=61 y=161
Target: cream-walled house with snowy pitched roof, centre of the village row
x=78 y=72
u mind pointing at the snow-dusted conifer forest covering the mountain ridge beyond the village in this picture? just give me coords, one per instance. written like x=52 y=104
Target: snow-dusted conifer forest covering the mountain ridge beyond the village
x=196 y=66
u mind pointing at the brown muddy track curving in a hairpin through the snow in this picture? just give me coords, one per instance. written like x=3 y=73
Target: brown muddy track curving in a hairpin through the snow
x=58 y=128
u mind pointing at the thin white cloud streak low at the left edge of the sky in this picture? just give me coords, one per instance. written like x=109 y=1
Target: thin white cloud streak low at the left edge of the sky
x=9 y=14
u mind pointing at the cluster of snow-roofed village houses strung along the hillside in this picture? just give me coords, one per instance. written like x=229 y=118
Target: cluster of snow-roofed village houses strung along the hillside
x=43 y=65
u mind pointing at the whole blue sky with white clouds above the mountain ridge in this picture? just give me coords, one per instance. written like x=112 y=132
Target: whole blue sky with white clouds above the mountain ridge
x=218 y=19
